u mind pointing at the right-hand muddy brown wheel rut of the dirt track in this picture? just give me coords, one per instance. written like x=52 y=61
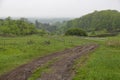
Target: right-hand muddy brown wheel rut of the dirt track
x=62 y=69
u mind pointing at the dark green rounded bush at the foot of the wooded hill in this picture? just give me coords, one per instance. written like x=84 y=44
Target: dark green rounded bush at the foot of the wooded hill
x=76 y=31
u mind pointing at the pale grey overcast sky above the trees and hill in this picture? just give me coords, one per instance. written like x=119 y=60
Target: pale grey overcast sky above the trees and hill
x=54 y=8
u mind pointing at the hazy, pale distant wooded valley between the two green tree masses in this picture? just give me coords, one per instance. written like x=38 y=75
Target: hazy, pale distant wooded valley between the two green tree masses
x=48 y=24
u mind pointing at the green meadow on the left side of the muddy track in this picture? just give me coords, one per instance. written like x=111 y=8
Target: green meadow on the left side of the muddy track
x=19 y=50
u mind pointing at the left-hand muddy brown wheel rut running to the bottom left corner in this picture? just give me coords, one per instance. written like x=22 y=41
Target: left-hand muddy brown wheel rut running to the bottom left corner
x=24 y=71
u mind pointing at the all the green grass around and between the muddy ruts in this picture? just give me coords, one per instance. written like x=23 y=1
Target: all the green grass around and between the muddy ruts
x=102 y=64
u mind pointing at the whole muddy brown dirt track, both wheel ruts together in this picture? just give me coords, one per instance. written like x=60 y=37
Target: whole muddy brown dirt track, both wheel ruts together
x=61 y=69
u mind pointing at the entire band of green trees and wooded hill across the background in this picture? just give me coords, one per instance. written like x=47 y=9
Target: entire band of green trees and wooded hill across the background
x=107 y=21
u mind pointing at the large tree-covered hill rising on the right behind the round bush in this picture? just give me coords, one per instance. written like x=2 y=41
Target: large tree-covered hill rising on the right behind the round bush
x=106 y=20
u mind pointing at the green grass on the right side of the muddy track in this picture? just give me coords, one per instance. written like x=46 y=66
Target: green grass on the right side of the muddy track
x=103 y=64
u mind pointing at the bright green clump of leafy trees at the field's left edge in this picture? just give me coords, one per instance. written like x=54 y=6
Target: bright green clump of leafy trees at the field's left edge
x=16 y=27
